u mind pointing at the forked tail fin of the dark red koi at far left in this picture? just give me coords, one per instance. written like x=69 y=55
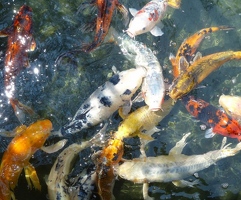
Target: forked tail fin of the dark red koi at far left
x=20 y=110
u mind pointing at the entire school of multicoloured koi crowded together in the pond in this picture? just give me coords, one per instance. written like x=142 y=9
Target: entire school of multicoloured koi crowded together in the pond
x=144 y=84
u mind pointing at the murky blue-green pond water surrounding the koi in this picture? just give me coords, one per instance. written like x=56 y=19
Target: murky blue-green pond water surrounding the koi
x=57 y=91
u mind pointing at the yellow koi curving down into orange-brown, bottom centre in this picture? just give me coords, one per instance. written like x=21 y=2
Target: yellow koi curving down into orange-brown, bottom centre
x=141 y=122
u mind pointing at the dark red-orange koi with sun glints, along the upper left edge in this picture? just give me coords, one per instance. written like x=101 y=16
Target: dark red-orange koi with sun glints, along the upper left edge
x=20 y=42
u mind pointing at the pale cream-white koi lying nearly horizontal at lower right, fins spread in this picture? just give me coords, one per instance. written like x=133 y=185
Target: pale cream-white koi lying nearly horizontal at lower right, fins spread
x=173 y=167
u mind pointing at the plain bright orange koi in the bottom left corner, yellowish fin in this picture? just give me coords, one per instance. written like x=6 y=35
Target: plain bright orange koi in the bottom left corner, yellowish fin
x=16 y=158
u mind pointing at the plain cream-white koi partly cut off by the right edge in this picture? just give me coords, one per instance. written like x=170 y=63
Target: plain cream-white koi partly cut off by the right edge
x=231 y=105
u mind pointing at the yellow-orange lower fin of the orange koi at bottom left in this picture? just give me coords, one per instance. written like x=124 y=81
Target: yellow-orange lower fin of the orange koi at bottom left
x=32 y=177
